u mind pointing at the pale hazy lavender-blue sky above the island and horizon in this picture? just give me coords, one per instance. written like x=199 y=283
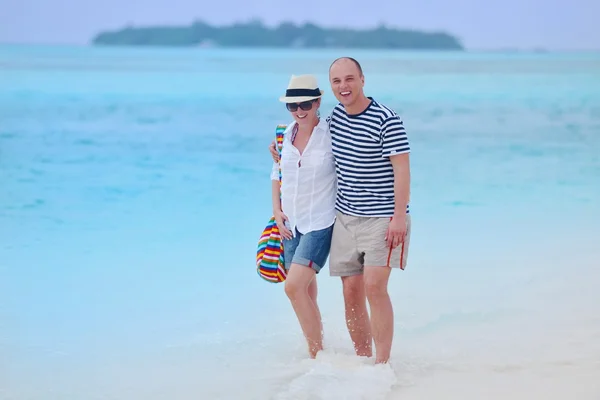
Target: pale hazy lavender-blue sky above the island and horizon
x=553 y=24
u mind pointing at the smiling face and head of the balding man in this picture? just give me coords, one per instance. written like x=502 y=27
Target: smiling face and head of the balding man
x=346 y=82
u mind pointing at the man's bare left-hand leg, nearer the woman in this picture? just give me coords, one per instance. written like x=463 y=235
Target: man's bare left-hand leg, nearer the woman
x=357 y=317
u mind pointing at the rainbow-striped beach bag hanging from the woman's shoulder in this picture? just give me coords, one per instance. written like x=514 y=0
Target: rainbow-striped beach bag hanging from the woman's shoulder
x=269 y=255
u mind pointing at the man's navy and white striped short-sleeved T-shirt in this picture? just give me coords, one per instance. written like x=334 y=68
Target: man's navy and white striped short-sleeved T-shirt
x=362 y=144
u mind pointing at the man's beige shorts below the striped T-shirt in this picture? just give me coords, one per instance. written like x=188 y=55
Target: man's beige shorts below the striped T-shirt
x=360 y=241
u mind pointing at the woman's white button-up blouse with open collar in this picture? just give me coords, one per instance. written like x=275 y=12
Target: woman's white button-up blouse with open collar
x=308 y=181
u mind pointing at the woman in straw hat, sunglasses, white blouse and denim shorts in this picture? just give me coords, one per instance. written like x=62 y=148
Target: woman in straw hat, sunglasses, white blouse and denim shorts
x=304 y=204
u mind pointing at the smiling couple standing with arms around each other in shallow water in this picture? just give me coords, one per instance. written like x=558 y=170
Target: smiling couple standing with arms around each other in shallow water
x=344 y=195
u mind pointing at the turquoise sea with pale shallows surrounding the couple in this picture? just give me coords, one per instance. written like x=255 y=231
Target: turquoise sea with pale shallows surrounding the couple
x=134 y=184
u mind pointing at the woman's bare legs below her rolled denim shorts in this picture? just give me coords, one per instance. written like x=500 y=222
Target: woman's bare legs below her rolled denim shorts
x=297 y=285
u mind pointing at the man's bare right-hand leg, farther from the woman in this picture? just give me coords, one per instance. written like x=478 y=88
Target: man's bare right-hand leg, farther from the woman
x=382 y=313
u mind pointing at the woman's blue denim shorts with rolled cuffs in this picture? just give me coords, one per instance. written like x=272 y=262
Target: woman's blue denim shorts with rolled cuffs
x=310 y=249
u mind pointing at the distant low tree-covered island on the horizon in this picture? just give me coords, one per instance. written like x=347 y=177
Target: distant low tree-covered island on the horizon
x=286 y=35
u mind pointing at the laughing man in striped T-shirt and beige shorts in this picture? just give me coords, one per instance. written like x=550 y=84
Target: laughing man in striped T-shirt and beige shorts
x=372 y=229
